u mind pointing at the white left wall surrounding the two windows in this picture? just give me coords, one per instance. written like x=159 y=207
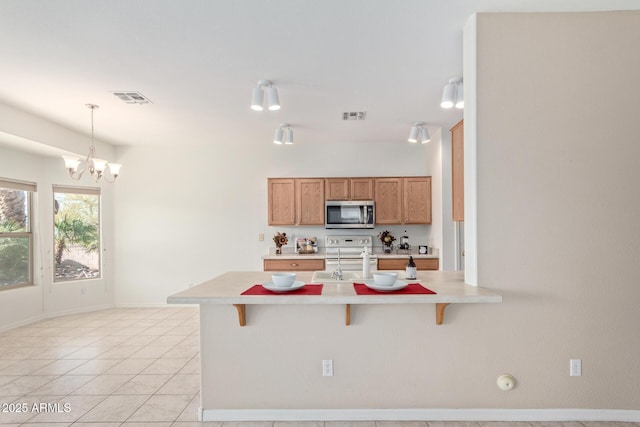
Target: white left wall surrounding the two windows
x=26 y=304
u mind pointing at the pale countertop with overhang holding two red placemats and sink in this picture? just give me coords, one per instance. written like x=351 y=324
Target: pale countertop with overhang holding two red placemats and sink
x=226 y=289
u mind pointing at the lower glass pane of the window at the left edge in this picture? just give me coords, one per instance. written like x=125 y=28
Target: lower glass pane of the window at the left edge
x=14 y=260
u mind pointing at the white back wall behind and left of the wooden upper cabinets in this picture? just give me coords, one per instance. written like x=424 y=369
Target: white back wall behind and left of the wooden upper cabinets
x=199 y=212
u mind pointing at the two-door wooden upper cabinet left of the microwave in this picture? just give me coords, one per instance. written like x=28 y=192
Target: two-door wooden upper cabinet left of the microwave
x=295 y=201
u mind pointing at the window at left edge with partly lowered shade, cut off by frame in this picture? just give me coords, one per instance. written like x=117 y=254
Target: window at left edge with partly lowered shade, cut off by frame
x=16 y=238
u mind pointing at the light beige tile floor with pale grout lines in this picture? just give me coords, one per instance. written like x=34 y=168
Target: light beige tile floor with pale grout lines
x=130 y=367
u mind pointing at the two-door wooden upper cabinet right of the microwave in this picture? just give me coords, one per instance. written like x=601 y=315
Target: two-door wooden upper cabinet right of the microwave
x=404 y=200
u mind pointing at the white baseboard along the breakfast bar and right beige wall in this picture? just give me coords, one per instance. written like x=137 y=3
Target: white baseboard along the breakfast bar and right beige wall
x=420 y=415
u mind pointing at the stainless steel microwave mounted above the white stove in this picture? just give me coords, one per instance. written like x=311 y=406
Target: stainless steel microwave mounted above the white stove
x=349 y=214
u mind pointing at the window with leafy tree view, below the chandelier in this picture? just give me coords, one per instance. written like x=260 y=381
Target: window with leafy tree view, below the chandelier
x=76 y=233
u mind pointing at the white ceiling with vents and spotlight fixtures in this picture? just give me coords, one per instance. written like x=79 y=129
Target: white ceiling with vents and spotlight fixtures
x=197 y=60
